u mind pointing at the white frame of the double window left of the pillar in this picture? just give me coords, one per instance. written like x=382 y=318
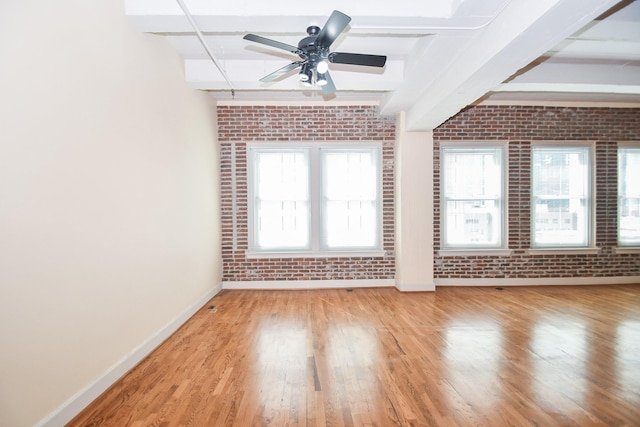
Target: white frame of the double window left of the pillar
x=316 y=247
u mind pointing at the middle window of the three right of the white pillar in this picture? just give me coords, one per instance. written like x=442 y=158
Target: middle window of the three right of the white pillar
x=561 y=196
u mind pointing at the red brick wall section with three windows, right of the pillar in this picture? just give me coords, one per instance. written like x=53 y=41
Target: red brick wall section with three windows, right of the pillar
x=521 y=126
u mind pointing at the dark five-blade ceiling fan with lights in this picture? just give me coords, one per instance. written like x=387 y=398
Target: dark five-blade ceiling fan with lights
x=314 y=51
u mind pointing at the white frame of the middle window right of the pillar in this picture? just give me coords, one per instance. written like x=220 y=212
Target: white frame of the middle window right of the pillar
x=589 y=202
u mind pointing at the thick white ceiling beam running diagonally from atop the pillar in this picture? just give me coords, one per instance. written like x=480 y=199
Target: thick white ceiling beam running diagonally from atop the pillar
x=522 y=32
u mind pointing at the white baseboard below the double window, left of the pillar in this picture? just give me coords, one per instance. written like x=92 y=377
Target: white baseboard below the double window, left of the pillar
x=309 y=284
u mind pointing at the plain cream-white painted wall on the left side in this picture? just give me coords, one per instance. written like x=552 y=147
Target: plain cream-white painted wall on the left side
x=109 y=223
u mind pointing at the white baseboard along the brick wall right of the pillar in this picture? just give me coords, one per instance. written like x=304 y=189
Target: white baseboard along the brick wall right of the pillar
x=545 y=281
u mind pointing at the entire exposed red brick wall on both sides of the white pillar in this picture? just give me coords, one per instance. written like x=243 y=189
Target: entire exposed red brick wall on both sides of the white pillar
x=519 y=126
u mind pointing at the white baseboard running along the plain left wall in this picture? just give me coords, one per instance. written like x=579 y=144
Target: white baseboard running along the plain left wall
x=83 y=398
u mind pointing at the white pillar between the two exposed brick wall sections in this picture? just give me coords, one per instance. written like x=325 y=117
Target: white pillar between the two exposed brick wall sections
x=414 y=209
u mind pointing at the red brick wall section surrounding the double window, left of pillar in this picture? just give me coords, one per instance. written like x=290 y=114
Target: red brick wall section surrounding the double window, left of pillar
x=238 y=125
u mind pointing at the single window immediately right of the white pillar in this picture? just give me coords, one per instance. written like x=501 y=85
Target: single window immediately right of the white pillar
x=472 y=195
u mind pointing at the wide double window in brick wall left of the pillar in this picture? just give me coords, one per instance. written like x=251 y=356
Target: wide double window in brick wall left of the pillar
x=316 y=198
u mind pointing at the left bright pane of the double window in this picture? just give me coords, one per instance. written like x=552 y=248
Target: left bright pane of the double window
x=281 y=191
